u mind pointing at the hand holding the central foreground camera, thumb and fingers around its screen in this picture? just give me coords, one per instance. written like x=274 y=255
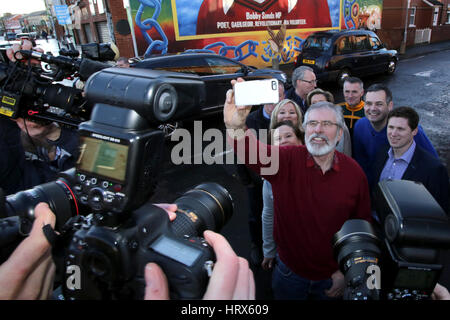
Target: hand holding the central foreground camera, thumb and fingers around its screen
x=231 y=277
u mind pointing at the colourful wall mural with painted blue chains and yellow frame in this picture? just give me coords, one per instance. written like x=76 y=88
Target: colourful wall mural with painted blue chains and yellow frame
x=256 y=32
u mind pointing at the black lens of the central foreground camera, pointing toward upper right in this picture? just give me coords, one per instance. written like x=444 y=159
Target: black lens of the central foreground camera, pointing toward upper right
x=206 y=207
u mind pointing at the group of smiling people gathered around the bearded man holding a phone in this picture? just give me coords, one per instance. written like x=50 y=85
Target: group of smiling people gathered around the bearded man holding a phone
x=347 y=149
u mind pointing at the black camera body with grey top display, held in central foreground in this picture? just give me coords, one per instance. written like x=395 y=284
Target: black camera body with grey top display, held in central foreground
x=112 y=260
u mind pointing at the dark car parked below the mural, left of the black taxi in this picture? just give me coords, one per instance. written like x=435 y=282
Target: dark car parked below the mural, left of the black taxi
x=215 y=71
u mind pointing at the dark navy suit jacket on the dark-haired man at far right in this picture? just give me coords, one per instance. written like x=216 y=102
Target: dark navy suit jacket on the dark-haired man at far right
x=423 y=168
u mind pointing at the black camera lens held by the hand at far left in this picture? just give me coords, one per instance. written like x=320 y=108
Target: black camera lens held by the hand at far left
x=56 y=194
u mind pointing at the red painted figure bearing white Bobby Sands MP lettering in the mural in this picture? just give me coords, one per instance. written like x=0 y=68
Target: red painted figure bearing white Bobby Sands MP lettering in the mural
x=220 y=16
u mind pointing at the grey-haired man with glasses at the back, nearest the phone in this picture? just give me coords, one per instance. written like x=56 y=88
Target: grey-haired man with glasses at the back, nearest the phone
x=303 y=82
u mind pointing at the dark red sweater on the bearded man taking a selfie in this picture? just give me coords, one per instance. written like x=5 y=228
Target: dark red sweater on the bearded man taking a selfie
x=310 y=207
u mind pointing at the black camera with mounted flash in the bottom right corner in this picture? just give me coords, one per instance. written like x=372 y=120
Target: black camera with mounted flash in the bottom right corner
x=401 y=260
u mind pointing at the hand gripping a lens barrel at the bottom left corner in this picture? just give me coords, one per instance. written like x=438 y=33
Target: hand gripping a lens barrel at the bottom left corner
x=28 y=273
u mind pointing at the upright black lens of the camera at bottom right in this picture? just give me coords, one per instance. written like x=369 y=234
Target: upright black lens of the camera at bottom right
x=356 y=248
